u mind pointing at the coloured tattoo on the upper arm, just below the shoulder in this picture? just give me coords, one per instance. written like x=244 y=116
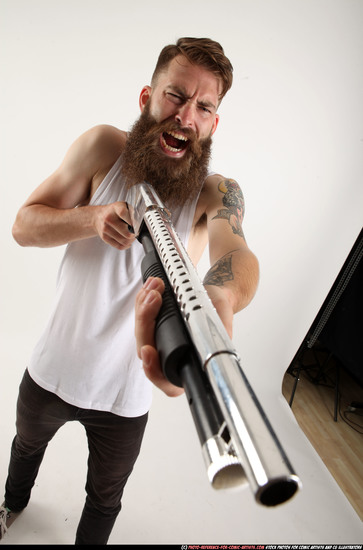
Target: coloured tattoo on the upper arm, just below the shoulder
x=234 y=205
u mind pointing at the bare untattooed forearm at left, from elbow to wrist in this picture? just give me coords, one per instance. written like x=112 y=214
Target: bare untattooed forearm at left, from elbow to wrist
x=44 y=226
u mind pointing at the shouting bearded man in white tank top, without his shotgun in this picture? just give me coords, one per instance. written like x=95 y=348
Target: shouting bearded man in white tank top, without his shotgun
x=85 y=365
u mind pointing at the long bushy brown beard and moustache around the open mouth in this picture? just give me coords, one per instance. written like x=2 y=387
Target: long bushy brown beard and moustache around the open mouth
x=176 y=180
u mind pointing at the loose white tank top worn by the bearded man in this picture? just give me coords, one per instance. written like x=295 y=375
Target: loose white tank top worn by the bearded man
x=87 y=353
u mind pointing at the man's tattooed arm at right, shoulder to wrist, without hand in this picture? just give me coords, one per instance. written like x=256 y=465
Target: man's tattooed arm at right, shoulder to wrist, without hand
x=232 y=279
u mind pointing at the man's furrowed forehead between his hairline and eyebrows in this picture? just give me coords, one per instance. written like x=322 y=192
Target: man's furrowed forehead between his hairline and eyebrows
x=192 y=78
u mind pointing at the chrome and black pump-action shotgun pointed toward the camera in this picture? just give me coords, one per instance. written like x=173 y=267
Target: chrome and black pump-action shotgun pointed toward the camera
x=196 y=353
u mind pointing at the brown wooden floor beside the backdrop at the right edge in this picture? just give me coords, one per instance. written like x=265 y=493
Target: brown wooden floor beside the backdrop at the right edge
x=340 y=443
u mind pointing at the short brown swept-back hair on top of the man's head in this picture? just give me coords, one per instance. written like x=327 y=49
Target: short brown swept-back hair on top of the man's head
x=200 y=51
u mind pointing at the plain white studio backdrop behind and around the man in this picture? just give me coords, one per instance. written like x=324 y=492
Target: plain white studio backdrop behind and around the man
x=291 y=133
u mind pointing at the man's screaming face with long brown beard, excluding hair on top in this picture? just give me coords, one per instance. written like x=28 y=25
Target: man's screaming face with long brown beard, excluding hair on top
x=169 y=146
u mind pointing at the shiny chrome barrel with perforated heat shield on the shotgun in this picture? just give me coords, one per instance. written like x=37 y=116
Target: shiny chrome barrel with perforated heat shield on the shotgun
x=248 y=450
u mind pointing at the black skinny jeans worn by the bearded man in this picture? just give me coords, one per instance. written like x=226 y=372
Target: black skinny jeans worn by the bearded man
x=114 y=444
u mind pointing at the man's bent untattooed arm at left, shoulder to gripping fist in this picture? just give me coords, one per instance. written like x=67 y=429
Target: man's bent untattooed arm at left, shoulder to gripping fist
x=53 y=214
